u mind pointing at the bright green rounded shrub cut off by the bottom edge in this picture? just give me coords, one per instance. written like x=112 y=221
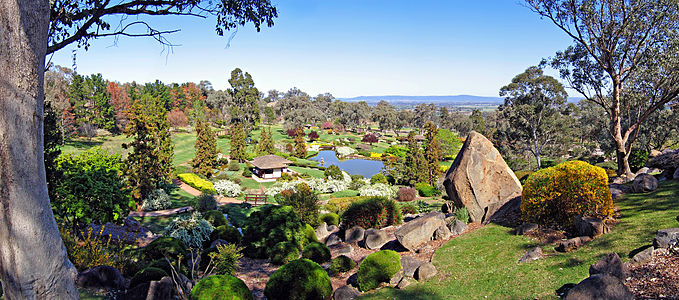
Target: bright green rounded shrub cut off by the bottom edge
x=219 y=287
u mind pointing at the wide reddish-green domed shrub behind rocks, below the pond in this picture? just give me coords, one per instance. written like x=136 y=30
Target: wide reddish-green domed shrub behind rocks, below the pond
x=373 y=212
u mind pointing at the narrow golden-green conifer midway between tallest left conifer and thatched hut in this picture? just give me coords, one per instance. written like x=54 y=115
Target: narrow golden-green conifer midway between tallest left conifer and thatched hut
x=206 y=149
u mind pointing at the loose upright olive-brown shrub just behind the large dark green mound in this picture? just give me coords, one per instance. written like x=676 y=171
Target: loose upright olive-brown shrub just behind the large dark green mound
x=304 y=202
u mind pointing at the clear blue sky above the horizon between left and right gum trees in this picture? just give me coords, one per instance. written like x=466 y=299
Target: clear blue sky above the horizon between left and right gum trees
x=347 y=48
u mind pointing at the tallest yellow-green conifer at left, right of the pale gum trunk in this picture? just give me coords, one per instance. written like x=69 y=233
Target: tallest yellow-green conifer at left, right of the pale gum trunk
x=150 y=161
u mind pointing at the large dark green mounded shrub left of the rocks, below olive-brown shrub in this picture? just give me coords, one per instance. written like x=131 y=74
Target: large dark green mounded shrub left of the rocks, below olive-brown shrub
x=270 y=226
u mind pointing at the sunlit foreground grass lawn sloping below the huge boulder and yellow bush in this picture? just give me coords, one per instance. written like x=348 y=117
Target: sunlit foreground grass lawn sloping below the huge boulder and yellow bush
x=484 y=262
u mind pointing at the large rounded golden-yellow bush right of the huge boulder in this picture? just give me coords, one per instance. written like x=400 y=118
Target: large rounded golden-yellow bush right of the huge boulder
x=555 y=196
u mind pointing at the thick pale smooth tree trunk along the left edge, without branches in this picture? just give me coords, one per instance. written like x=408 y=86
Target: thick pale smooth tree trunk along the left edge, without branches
x=33 y=259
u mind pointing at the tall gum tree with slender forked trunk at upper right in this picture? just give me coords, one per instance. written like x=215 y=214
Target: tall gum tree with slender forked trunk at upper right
x=617 y=42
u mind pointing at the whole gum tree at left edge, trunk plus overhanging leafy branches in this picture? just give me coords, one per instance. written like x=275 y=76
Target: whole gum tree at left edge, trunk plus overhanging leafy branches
x=33 y=260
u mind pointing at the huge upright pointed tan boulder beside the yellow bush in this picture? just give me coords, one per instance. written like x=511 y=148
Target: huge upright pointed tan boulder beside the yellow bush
x=480 y=179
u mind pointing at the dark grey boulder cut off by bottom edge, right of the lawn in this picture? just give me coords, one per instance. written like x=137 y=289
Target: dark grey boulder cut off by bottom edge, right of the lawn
x=600 y=286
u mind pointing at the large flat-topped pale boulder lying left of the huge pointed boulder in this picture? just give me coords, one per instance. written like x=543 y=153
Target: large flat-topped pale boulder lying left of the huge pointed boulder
x=419 y=231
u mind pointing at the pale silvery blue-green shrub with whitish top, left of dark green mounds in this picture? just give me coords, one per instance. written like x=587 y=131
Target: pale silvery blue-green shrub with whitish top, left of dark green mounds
x=192 y=230
